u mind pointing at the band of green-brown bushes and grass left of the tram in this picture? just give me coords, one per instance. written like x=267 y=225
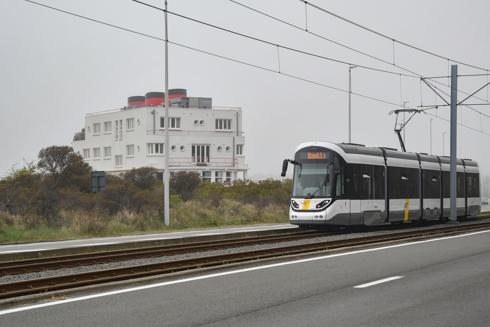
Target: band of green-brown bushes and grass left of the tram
x=53 y=200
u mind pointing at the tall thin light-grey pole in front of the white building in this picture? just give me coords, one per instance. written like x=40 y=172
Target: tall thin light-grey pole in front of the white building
x=166 y=186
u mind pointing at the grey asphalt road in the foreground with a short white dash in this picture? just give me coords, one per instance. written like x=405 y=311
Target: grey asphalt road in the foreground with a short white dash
x=439 y=283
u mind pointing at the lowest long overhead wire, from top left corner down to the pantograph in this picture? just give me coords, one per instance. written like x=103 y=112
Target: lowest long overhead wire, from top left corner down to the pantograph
x=226 y=58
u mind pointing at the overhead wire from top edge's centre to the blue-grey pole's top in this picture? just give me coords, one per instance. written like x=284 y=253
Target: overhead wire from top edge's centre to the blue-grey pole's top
x=323 y=37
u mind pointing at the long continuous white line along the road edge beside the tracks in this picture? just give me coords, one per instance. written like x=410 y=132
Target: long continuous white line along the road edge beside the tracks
x=225 y=273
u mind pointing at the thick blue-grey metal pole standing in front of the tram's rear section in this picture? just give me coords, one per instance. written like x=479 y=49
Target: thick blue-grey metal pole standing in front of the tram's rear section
x=454 y=131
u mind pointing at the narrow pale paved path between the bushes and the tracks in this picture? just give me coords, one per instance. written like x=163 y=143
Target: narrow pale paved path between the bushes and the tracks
x=41 y=246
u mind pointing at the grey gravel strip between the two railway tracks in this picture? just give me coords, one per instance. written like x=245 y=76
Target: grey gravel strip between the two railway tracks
x=138 y=262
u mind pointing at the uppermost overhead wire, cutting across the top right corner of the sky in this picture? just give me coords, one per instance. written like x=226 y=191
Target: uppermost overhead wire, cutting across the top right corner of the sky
x=385 y=36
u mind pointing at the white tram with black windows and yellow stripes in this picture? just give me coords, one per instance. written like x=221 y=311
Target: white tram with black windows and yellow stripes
x=350 y=184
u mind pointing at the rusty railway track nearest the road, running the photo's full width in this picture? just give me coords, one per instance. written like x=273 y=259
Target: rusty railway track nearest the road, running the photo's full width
x=37 y=286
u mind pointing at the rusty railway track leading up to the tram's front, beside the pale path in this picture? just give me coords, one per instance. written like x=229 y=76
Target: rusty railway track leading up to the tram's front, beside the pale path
x=17 y=267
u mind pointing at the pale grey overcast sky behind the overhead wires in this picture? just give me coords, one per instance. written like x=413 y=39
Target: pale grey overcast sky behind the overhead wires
x=56 y=68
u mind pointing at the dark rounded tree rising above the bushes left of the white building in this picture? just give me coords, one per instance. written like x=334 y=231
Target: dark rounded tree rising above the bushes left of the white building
x=65 y=167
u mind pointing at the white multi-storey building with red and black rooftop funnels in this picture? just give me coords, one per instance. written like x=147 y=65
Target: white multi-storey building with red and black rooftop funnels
x=203 y=139
